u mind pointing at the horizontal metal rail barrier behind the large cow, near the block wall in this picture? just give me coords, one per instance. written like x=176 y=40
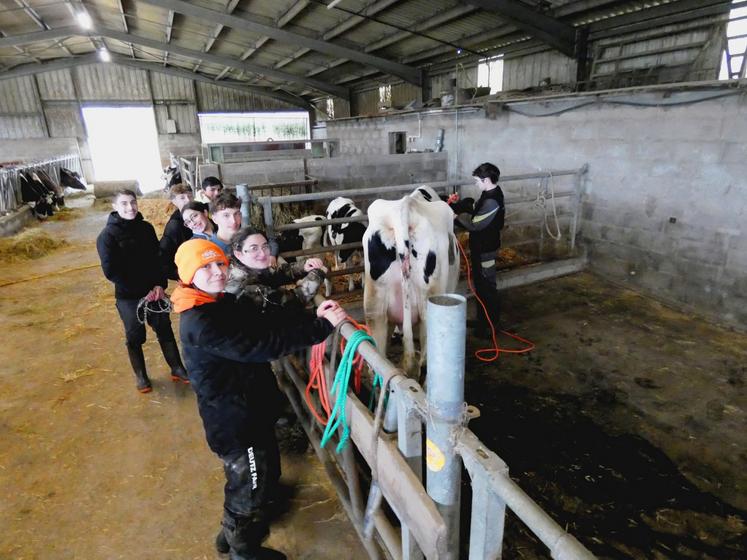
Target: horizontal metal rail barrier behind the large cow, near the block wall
x=541 y=194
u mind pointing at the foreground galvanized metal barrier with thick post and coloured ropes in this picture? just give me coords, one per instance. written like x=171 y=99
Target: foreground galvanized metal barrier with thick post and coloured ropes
x=389 y=443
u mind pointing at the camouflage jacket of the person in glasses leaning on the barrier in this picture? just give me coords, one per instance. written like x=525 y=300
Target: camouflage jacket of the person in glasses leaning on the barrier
x=265 y=287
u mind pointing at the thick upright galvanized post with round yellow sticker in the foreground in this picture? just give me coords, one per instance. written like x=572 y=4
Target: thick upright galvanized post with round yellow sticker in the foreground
x=447 y=332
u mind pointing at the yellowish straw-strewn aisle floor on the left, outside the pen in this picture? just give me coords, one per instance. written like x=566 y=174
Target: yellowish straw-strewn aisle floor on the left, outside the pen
x=91 y=469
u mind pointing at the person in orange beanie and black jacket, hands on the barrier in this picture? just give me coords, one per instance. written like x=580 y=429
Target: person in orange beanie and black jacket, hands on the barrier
x=227 y=347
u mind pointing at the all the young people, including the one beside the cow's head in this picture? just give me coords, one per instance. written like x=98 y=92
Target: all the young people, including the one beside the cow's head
x=235 y=318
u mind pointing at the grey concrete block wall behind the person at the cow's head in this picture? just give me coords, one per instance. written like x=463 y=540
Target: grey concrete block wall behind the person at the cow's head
x=665 y=200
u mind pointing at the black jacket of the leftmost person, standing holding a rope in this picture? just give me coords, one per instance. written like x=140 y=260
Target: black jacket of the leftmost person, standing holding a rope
x=130 y=256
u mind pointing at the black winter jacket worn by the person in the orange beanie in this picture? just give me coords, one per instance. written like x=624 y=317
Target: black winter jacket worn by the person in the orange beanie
x=226 y=347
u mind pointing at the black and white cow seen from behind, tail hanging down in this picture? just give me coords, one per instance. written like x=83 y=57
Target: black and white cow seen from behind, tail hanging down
x=410 y=254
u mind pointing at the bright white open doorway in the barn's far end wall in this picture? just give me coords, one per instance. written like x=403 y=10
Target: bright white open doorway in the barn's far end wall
x=124 y=145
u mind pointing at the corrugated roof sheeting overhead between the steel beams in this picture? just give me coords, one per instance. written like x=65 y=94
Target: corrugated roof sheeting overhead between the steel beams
x=314 y=20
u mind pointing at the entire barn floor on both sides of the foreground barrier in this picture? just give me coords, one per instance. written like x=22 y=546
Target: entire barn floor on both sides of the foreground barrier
x=627 y=423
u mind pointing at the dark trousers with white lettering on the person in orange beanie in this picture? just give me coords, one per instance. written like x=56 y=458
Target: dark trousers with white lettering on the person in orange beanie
x=251 y=480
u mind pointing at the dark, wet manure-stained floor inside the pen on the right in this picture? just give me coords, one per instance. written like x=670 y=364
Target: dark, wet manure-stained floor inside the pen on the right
x=627 y=423
